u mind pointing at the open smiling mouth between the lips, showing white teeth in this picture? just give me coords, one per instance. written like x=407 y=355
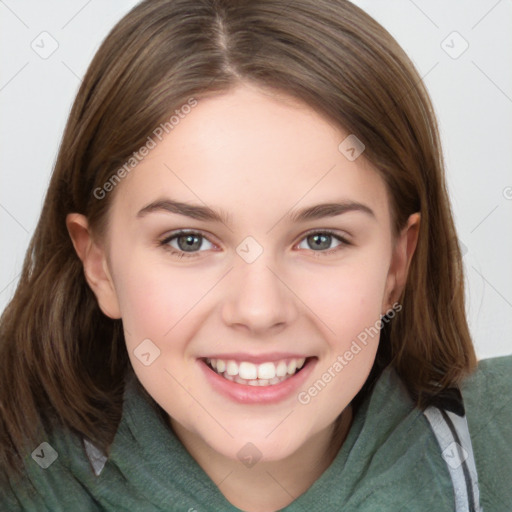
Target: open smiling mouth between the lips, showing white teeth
x=250 y=374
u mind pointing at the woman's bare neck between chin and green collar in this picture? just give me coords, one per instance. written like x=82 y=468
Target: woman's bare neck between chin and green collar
x=271 y=485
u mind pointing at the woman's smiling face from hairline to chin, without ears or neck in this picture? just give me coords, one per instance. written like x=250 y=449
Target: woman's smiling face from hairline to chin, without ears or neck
x=218 y=318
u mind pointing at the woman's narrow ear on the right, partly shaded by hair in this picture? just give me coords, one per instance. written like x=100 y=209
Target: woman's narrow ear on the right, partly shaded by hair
x=403 y=250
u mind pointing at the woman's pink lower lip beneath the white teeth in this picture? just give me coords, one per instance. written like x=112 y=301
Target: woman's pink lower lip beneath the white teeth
x=245 y=394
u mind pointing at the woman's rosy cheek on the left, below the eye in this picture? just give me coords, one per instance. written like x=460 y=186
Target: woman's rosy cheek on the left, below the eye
x=157 y=304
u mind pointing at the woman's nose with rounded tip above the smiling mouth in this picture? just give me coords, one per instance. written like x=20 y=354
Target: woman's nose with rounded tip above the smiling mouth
x=258 y=298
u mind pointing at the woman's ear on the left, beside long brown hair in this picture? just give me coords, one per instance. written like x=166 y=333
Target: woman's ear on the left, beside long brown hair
x=94 y=260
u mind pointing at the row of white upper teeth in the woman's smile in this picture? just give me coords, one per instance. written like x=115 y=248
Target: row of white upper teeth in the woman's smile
x=251 y=371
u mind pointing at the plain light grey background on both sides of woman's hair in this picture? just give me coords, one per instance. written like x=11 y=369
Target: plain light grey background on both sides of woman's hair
x=472 y=95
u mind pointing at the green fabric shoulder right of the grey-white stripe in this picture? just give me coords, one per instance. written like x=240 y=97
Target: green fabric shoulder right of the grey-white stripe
x=488 y=402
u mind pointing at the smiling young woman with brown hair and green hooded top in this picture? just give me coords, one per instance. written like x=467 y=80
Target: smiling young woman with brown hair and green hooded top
x=245 y=290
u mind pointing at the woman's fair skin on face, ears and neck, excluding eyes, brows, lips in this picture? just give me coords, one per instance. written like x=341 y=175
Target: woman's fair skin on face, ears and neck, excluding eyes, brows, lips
x=257 y=156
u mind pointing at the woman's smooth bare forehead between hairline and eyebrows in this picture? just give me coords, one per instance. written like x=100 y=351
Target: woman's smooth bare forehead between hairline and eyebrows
x=252 y=153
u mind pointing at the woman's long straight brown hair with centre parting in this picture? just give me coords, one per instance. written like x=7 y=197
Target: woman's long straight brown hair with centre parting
x=63 y=361
